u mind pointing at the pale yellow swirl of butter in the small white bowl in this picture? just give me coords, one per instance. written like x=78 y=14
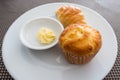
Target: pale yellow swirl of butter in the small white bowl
x=46 y=35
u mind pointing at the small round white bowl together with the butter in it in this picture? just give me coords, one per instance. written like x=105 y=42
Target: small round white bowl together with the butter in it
x=41 y=33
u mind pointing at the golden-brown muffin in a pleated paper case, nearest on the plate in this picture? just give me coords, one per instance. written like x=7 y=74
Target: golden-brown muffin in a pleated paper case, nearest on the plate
x=80 y=43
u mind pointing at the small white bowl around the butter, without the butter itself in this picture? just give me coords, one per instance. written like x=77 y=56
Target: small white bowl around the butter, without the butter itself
x=28 y=33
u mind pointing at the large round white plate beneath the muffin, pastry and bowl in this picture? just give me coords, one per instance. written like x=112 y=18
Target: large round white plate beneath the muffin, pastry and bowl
x=25 y=64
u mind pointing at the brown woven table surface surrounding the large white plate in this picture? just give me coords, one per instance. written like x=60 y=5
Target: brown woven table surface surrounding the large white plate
x=10 y=10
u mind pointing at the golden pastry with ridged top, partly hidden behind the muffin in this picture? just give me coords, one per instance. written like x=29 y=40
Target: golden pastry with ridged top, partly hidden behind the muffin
x=68 y=15
